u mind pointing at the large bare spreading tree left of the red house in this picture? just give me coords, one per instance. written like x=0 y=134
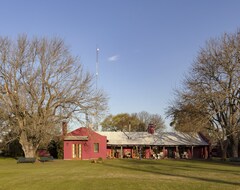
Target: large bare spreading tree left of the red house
x=41 y=84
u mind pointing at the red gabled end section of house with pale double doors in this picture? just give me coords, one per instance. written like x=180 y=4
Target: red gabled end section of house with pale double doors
x=84 y=144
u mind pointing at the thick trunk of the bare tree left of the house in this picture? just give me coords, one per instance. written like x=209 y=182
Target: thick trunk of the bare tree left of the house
x=28 y=147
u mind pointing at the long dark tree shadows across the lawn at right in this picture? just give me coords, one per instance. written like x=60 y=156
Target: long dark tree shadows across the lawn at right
x=154 y=170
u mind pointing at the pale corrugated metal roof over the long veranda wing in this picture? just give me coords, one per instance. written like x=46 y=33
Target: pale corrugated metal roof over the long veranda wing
x=144 y=138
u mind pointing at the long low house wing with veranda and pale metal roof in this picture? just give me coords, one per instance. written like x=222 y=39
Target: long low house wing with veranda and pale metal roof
x=156 y=145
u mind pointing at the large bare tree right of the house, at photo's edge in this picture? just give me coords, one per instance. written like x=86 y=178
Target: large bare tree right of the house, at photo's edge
x=213 y=90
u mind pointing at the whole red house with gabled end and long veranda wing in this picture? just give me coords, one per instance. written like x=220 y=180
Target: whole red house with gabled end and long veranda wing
x=84 y=143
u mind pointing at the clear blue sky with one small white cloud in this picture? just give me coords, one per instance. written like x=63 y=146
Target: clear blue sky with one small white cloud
x=146 y=47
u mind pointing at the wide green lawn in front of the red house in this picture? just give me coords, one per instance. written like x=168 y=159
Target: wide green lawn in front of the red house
x=119 y=174
